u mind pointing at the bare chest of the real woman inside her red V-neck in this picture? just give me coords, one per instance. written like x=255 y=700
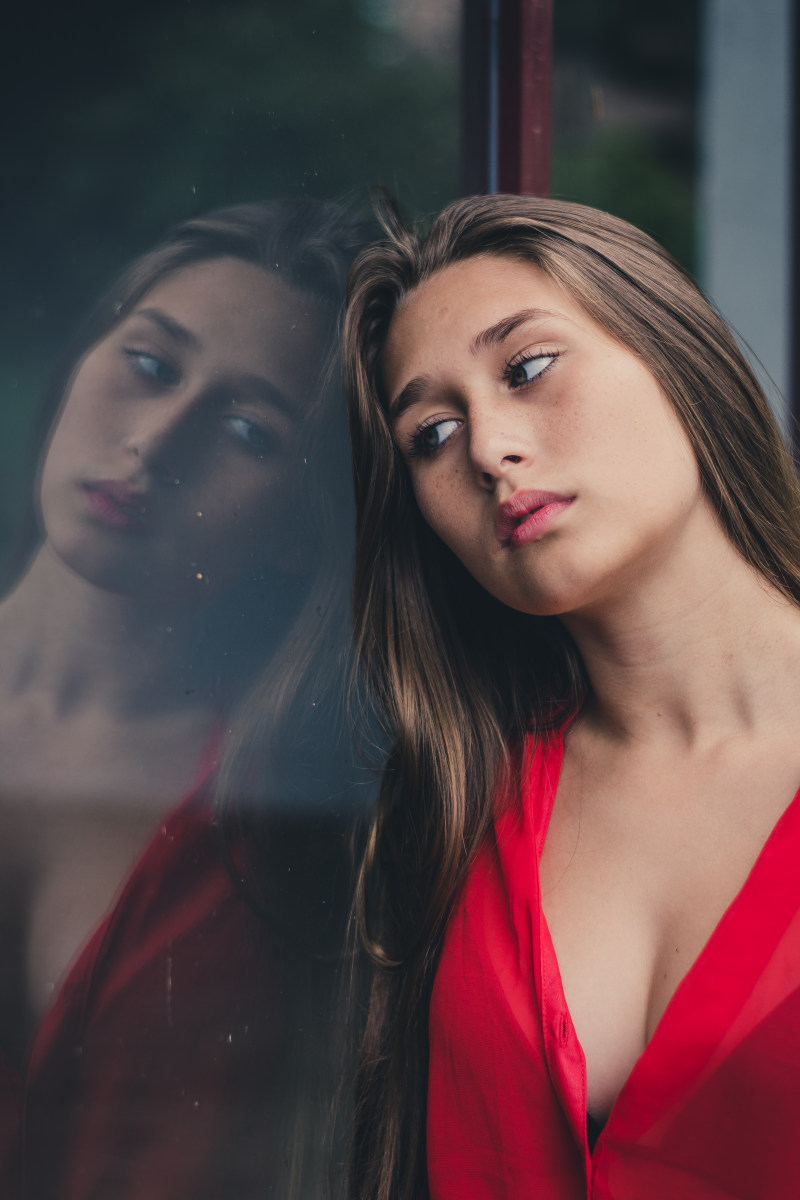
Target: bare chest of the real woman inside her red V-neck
x=641 y=862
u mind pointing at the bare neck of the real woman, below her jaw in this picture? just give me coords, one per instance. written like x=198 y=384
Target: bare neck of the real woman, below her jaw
x=693 y=657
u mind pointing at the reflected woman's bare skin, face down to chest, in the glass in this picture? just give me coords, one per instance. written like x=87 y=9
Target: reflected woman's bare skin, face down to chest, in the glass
x=105 y=692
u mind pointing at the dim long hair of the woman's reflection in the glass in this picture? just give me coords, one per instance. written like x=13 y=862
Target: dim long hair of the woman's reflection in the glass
x=280 y=643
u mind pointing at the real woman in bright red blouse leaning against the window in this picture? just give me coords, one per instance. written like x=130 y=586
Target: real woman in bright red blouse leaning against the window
x=579 y=575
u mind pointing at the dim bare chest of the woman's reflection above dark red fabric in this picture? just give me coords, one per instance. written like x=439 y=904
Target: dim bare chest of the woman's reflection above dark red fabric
x=77 y=809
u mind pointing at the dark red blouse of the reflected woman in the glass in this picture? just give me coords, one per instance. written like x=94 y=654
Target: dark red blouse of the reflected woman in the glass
x=153 y=1075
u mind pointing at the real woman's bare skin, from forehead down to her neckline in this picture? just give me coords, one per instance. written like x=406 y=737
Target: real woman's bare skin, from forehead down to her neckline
x=684 y=759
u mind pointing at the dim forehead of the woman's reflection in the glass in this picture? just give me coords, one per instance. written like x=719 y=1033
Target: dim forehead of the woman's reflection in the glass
x=238 y=311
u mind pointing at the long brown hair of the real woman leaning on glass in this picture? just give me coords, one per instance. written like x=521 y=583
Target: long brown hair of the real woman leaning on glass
x=459 y=677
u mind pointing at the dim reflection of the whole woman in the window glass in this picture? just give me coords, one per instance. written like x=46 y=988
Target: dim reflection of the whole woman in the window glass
x=169 y=617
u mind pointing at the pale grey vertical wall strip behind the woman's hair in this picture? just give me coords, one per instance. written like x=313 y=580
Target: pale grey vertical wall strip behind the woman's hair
x=745 y=142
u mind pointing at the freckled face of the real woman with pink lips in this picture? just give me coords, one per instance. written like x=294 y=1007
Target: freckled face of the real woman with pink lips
x=542 y=451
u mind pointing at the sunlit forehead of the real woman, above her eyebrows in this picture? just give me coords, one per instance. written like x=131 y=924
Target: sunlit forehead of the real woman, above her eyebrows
x=458 y=303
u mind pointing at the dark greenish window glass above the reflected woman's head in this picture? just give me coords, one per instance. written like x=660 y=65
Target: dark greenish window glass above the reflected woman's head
x=123 y=128
